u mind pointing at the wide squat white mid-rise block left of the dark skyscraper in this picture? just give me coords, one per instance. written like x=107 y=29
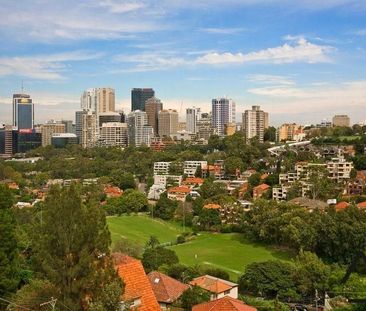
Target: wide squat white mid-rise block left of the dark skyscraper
x=113 y=134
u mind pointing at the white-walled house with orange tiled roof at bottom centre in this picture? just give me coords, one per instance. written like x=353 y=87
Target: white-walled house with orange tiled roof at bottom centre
x=218 y=288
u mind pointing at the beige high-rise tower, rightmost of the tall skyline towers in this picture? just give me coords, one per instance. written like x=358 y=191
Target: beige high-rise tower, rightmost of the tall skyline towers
x=254 y=122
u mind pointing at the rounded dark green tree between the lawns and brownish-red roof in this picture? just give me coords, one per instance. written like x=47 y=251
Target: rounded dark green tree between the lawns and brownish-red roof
x=153 y=258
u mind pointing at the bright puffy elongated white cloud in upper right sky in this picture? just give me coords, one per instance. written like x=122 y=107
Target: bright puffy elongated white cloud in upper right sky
x=301 y=51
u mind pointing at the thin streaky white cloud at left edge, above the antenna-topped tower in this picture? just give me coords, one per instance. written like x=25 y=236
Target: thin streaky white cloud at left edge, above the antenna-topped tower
x=43 y=67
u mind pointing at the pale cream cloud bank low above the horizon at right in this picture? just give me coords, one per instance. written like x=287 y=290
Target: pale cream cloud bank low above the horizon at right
x=314 y=102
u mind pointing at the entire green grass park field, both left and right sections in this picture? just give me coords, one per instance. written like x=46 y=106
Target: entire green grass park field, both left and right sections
x=229 y=251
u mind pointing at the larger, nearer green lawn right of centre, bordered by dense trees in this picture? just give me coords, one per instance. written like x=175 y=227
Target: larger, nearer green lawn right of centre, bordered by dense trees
x=228 y=251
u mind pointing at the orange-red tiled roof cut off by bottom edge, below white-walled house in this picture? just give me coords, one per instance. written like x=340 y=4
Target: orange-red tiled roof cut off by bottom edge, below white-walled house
x=224 y=304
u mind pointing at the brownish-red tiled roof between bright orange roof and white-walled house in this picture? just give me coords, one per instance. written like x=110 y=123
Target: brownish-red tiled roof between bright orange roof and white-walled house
x=166 y=289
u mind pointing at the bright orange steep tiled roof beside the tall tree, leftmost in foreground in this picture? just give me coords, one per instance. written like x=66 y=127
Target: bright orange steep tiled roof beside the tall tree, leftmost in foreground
x=137 y=284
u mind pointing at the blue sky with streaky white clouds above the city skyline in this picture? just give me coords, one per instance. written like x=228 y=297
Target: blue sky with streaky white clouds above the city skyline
x=302 y=61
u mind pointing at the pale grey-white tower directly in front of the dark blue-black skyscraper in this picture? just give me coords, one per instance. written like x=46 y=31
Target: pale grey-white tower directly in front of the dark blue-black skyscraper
x=136 y=122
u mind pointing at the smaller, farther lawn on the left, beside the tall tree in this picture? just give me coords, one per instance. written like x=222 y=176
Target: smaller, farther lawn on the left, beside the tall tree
x=140 y=228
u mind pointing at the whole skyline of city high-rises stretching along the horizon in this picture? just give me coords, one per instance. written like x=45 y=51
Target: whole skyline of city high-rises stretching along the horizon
x=99 y=124
